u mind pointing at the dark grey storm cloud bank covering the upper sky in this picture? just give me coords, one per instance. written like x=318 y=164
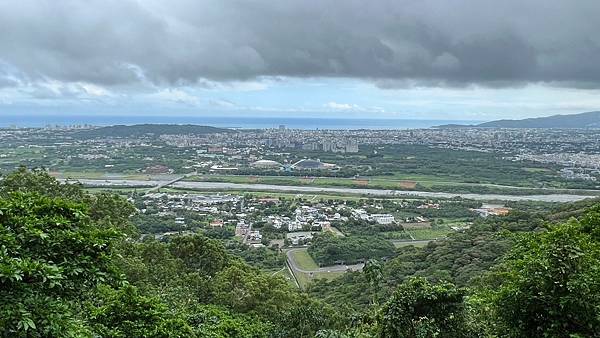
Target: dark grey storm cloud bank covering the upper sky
x=391 y=42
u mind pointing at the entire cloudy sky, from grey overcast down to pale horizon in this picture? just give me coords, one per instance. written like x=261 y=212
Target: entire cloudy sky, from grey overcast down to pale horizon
x=407 y=59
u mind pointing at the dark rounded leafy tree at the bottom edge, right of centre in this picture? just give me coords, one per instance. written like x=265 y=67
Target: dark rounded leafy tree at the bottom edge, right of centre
x=420 y=309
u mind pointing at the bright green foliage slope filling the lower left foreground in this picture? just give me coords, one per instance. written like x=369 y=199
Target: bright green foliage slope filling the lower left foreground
x=62 y=253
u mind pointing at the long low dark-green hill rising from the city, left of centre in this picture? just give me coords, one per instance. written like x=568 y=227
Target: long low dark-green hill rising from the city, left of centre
x=139 y=130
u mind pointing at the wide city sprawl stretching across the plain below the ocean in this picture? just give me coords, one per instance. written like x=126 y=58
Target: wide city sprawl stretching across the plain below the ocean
x=244 y=149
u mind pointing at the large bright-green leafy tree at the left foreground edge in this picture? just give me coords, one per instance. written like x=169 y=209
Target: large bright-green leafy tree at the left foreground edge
x=51 y=255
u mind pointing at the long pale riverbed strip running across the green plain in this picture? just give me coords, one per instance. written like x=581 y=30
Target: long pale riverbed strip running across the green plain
x=313 y=190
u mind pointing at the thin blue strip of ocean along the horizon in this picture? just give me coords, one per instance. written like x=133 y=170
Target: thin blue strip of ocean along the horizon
x=241 y=122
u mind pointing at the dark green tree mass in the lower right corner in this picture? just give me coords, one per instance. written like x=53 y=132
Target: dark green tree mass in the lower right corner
x=548 y=285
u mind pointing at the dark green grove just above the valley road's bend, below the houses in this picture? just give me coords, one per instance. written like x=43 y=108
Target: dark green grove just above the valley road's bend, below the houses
x=327 y=249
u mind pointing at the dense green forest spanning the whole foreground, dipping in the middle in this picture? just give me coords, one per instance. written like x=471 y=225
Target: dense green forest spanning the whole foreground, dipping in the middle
x=72 y=265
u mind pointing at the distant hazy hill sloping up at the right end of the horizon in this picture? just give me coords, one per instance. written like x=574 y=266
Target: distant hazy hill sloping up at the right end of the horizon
x=583 y=120
